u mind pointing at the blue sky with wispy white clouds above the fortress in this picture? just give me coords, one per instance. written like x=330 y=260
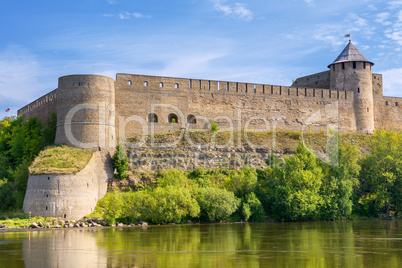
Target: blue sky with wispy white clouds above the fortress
x=255 y=41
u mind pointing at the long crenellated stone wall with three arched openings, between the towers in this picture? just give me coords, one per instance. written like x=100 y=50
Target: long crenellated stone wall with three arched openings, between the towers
x=231 y=105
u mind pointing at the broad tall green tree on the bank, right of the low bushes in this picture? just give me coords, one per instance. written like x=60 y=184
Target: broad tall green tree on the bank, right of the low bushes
x=293 y=191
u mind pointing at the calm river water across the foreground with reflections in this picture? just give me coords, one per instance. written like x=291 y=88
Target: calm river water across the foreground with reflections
x=318 y=244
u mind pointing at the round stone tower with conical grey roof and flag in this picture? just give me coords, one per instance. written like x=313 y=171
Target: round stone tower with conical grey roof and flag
x=351 y=71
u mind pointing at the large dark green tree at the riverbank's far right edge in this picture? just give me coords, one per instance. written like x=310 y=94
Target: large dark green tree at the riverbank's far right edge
x=380 y=191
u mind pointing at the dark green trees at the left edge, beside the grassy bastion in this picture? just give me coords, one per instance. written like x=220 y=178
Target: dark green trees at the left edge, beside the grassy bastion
x=20 y=142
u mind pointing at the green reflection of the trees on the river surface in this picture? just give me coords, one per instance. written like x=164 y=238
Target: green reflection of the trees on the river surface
x=308 y=244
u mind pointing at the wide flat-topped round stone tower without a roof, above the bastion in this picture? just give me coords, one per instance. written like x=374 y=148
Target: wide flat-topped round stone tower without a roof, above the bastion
x=86 y=112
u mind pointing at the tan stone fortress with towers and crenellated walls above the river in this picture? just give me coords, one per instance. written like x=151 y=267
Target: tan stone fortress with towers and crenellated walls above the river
x=96 y=111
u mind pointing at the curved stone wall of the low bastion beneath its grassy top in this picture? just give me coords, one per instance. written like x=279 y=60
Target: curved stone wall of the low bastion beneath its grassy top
x=69 y=196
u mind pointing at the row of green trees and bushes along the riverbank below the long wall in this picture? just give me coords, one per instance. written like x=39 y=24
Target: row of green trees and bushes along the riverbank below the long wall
x=301 y=186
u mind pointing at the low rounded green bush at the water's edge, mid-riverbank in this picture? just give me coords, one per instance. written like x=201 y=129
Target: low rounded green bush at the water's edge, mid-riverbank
x=216 y=204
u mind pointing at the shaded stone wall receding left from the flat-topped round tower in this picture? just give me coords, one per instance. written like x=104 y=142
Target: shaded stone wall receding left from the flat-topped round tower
x=41 y=107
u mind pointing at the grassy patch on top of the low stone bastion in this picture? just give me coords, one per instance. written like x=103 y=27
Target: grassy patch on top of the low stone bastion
x=60 y=160
